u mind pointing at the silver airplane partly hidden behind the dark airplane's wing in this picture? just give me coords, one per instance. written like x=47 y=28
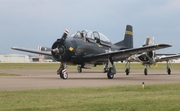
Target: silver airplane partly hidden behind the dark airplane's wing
x=150 y=58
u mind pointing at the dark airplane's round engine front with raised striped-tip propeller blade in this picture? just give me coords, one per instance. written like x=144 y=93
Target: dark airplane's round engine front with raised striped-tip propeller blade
x=58 y=48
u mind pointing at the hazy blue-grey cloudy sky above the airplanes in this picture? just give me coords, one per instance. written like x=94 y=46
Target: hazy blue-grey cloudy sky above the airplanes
x=33 y=23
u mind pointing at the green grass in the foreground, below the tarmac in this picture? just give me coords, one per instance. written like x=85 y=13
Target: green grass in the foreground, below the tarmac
x=114 y=98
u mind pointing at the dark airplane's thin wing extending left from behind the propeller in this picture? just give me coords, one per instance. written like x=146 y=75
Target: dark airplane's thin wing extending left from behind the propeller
x=32 y=51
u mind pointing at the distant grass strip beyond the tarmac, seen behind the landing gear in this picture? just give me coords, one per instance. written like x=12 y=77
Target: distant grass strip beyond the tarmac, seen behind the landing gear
x=56 y=66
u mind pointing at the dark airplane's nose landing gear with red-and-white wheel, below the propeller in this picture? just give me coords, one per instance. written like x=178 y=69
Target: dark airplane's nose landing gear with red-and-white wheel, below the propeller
x=62 y=72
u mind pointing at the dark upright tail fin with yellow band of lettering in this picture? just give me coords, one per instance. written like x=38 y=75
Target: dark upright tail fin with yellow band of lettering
x=128 y=38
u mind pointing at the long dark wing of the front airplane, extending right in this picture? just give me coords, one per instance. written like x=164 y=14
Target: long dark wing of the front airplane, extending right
x=120 y=54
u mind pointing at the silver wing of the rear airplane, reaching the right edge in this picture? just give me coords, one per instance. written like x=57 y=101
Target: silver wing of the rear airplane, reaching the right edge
x=166 y=58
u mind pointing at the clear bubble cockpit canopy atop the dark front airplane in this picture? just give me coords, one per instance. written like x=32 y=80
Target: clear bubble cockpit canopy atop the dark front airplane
x=91 y=35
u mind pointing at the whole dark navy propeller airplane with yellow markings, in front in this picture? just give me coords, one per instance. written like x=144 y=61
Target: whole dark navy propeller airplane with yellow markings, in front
x=84 y=48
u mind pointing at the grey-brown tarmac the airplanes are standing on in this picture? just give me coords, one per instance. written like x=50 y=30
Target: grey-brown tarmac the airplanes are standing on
x=42 y=79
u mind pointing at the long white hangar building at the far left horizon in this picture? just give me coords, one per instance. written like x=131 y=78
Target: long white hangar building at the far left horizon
x=14 y=58
